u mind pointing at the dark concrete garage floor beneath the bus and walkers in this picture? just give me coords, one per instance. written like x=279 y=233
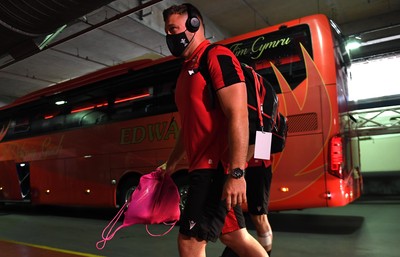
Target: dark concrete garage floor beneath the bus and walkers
x=361 y=229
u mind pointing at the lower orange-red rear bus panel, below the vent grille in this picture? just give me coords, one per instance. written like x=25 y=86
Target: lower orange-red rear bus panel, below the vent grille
x=302 y=175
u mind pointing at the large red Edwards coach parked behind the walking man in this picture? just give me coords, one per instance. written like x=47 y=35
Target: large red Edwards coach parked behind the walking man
x=87 y=141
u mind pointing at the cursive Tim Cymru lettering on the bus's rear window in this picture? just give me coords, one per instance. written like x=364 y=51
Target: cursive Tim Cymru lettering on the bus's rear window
x=258 y=47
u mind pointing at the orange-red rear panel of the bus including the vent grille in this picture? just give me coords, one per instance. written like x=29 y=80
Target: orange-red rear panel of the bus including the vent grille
x=298 y=172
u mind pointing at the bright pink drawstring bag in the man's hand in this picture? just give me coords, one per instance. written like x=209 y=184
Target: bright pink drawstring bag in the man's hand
x=154 y=201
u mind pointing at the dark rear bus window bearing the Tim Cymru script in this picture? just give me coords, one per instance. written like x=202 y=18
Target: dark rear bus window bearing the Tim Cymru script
x=281 y=48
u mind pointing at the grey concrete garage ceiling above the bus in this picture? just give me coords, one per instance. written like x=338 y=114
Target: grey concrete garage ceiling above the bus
x=124 y=30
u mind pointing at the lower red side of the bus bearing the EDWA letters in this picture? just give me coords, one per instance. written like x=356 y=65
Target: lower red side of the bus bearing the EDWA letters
x=75 y=167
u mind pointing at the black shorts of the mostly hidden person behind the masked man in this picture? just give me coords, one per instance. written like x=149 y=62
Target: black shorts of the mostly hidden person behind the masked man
x=258 y=180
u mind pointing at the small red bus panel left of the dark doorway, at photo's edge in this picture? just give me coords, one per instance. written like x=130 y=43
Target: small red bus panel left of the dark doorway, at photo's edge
x=9 y=183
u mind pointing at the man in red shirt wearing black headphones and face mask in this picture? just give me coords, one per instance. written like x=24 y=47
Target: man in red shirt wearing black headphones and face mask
x=209 y=136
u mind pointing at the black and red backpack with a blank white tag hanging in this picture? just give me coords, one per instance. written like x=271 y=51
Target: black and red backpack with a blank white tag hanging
x=262 y=103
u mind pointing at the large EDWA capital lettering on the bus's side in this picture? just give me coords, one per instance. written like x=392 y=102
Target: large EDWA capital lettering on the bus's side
x=152 y=132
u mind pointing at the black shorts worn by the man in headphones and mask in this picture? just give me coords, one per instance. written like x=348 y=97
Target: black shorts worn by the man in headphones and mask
x=205 y=213
